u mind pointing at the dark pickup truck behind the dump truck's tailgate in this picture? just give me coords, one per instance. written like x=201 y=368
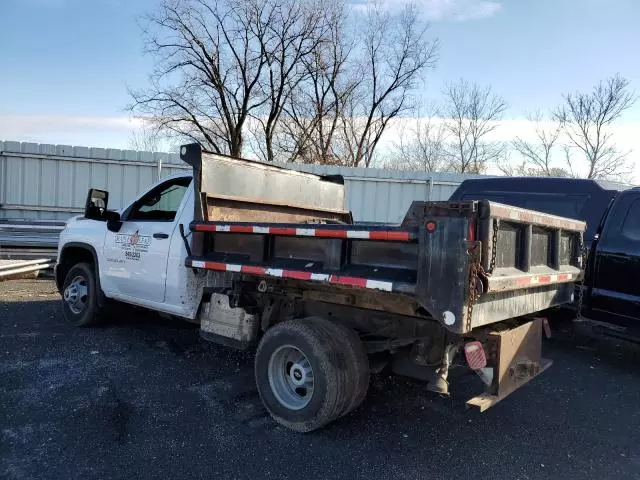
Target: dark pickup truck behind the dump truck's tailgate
x=611 y=294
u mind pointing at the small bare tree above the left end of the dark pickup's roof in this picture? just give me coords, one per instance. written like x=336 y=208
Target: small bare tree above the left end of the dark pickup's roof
x=472 y=113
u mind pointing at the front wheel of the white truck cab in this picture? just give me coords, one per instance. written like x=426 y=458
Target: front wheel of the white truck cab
x=80 y=297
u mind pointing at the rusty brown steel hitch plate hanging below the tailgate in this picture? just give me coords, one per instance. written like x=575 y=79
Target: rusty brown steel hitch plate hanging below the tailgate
x=514 y=353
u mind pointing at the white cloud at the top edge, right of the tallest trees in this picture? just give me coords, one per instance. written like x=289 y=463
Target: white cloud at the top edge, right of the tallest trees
x=436 y=10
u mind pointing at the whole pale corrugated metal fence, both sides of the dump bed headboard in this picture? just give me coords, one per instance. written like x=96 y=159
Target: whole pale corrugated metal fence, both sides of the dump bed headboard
x=50 y=182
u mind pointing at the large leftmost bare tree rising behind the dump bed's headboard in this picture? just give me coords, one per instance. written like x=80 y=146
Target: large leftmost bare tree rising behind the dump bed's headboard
x=219 y=63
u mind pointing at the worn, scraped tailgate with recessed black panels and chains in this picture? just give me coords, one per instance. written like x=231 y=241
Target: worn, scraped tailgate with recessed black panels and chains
x=527 y=262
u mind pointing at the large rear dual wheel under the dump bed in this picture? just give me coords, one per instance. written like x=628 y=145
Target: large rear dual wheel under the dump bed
x=310 y=372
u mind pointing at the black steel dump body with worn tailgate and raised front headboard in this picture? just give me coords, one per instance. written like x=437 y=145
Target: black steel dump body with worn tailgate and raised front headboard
x=464 y=264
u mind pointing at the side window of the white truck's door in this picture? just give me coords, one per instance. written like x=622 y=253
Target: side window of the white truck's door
x=161 y=204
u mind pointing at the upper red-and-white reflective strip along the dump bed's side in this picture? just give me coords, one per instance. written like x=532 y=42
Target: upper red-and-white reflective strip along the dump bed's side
x=389 y=235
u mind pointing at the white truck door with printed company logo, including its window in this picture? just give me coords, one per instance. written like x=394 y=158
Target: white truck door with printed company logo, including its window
x=136 y=257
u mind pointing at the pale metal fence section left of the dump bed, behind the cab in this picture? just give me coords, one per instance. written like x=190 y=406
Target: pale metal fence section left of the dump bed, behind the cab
x=50 y=182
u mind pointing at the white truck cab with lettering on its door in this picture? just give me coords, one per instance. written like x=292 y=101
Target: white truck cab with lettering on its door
x=137 y=254
